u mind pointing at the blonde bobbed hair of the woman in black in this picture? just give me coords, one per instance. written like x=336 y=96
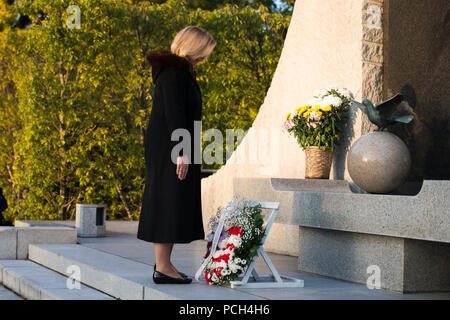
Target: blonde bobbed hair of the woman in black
x=193 y=42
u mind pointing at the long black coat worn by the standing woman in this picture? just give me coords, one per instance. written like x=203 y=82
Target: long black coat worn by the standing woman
x=171 y=208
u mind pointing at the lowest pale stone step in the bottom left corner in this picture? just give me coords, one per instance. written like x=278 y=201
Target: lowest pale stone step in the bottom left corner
x=35 y=282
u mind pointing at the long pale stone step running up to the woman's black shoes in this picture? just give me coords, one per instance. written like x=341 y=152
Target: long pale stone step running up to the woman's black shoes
x=124 y=278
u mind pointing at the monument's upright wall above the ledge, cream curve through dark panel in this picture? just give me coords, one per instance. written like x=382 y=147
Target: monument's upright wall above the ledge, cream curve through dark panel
x=369 y=47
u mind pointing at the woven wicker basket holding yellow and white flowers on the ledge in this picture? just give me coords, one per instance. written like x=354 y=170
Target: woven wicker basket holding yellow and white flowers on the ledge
x=318 y=163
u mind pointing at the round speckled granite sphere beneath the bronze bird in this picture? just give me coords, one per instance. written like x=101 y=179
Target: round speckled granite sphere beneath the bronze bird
x=379 y=162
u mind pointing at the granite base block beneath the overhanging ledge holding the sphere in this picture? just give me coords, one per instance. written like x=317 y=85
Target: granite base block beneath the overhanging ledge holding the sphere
x=406 y=265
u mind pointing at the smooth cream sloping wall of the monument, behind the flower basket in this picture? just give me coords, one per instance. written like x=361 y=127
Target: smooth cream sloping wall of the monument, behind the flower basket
x=322 y=48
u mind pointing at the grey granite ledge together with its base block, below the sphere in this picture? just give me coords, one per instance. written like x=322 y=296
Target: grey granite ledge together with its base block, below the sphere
x=340 y=231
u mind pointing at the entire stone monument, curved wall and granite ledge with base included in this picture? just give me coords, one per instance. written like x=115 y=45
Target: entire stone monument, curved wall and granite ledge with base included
x=375 y=49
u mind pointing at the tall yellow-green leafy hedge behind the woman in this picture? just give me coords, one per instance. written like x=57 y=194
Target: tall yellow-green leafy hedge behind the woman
x=75 y=102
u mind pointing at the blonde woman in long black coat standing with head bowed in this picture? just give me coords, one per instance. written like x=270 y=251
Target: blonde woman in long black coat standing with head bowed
x=171 y=206
